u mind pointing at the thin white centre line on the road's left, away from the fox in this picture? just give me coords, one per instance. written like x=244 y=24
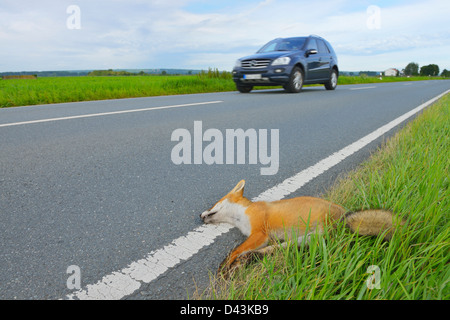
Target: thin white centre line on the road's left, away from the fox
x=108 y=113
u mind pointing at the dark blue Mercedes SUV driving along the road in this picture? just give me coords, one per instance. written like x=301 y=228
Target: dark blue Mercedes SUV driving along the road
x=289 y=62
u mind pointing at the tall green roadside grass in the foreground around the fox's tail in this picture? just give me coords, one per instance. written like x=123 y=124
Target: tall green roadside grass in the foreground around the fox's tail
x=409 y=174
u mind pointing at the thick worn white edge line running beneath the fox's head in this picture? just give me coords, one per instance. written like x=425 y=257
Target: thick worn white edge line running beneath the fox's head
x=122 y=283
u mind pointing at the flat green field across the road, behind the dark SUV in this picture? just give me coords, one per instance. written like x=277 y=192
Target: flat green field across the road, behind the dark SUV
x=25 y=92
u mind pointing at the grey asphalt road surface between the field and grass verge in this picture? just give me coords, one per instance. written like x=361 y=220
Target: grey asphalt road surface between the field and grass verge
x=100 y=192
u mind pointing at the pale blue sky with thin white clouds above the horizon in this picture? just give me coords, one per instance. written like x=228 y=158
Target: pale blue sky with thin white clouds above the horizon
x=197 y=34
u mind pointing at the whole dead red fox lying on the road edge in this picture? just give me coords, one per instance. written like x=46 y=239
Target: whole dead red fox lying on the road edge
x=262 y=221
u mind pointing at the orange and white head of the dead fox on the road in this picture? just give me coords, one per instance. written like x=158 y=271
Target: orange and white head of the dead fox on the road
x=227 y=208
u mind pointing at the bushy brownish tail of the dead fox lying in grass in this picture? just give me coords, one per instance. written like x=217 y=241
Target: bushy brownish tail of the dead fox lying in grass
x=373 y=222
